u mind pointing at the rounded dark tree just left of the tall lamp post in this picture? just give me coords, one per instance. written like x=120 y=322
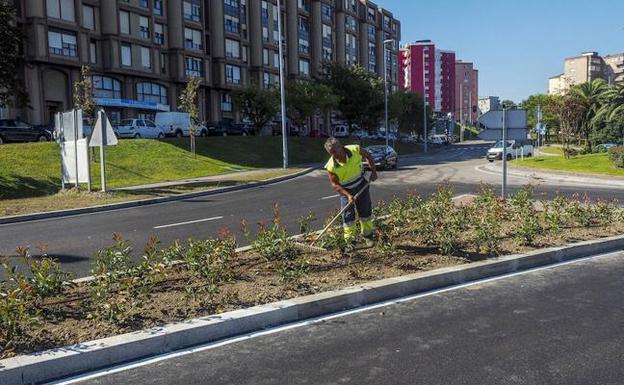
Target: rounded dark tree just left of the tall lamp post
x=259 y=105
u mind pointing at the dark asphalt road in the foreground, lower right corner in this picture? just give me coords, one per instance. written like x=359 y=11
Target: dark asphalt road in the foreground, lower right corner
x=559 y=325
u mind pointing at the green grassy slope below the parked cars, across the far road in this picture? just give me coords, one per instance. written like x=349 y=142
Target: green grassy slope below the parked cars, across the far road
x=33 y=169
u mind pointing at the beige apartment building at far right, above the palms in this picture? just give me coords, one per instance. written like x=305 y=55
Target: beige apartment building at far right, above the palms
x=587 y=67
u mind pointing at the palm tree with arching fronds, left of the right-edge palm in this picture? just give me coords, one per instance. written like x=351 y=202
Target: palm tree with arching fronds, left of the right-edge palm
x=590 y=95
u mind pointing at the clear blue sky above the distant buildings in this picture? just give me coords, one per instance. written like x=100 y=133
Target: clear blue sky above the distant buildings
x=515 y=44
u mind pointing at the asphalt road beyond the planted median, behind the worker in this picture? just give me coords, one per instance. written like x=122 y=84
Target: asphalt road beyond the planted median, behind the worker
x=73 y=240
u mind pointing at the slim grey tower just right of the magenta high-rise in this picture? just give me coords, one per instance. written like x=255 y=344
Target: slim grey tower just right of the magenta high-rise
x=467 y=91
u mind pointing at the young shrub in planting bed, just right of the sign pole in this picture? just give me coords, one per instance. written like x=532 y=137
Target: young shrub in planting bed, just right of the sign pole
x=526 y=225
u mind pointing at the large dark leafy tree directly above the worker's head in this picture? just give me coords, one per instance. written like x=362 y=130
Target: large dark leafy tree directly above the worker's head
x=360 y=94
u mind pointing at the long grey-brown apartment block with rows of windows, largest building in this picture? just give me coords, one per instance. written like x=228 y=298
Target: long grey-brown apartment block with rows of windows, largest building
x=142 y=52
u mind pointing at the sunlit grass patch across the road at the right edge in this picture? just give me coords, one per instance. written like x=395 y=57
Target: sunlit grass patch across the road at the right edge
x=584 y=164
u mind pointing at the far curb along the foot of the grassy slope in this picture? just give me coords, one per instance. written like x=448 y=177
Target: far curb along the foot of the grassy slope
x=149 y=201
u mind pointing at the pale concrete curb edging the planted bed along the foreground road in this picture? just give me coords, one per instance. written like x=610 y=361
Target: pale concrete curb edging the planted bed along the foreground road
x=106 y=352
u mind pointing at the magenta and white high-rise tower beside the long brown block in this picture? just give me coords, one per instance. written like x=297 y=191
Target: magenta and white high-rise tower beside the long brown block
x=428 y=71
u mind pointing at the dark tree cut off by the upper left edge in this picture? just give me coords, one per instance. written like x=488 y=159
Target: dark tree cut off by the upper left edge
x=11 y=88
